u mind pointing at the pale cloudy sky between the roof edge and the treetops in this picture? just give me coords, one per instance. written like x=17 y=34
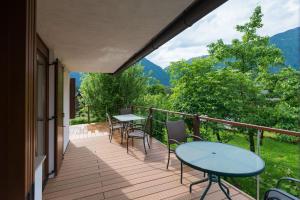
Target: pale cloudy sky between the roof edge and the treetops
x=279 y=16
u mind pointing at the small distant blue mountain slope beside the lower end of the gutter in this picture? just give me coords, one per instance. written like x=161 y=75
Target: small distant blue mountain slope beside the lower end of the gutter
x=155 y=71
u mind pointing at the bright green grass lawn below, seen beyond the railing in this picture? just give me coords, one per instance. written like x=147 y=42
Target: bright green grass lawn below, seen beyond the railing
x=282 y=159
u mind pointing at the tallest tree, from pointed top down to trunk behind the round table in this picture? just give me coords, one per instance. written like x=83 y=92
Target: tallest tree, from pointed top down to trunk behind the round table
x=251 y=54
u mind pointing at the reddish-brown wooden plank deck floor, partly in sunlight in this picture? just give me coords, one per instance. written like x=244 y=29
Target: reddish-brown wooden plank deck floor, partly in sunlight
x=94 y=168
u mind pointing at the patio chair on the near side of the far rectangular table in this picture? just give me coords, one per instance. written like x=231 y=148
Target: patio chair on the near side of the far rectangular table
x=140 y=133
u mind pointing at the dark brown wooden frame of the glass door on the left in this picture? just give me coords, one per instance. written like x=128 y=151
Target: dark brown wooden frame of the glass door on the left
x=43 y=50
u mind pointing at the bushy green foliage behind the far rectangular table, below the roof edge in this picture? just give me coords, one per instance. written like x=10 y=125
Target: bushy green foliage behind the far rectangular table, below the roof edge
x=107 y=93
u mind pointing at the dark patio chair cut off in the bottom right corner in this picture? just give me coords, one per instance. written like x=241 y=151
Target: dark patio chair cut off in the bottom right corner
x=279 y=194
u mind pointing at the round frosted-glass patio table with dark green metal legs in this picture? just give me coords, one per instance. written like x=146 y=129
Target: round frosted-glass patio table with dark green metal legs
x=217 y=159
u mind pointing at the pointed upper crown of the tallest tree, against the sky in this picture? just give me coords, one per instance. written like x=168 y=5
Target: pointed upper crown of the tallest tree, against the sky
x=252 y=53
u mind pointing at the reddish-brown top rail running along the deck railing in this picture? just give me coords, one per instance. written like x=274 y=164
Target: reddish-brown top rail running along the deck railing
x=231 y=123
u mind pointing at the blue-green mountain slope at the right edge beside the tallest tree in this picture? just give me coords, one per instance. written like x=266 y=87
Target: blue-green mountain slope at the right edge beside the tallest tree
x=289 y=43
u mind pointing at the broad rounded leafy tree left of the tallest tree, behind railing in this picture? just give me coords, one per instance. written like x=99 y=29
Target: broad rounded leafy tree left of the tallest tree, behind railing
x=203 y=88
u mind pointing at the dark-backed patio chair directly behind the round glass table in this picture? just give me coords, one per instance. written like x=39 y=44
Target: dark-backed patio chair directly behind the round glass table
x=177 y=135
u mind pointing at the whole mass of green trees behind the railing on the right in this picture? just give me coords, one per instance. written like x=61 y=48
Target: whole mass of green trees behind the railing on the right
x=234 y=82
